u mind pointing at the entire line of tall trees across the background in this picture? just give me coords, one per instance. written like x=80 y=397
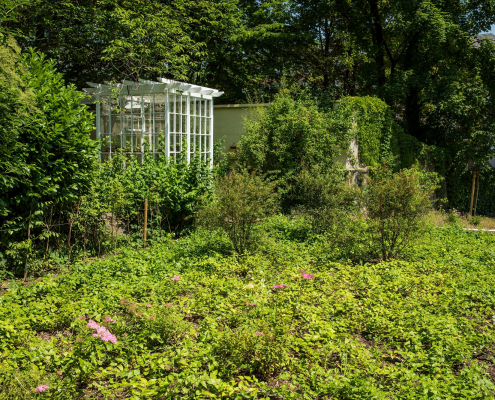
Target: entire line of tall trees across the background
x=423 y=58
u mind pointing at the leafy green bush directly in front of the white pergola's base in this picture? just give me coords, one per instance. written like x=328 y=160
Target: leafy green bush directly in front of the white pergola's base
x=174 y=191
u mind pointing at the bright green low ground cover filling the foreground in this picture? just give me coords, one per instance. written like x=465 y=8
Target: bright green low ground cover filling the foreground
x=412 y=329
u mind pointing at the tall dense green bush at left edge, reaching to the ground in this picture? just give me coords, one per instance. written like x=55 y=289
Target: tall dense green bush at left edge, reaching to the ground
x=47 y=157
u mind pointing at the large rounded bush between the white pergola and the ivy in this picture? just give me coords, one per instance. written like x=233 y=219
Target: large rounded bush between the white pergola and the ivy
x=291 y=134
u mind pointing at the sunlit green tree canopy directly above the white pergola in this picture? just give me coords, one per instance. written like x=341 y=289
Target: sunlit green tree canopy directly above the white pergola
x=103 y=40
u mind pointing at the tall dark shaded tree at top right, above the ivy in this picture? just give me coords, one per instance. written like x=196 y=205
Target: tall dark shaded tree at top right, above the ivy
x=422 y=57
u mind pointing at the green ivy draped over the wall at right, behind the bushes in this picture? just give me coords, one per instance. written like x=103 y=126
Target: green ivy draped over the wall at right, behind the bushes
x=382 y=140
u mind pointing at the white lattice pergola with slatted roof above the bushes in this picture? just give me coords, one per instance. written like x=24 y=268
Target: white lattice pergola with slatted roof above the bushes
x=160 y=117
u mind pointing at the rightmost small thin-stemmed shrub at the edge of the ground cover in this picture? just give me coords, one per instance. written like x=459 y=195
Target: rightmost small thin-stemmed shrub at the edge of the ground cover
x=396 y=205
